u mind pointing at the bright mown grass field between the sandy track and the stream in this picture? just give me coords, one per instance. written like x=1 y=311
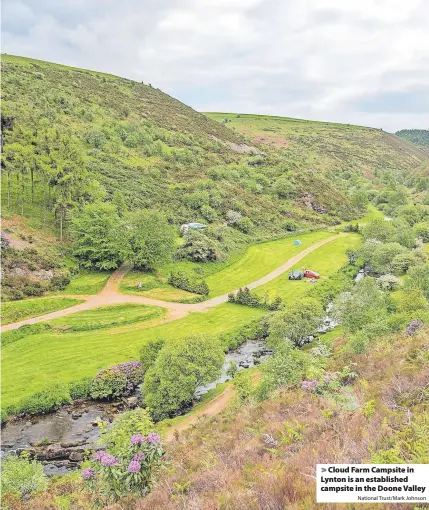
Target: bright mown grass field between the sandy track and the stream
x=33 y=362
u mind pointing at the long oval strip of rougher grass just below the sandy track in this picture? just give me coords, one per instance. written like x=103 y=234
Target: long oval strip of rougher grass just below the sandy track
x=107 y=317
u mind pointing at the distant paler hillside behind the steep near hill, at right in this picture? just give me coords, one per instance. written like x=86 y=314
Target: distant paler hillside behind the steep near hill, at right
x=343 y=151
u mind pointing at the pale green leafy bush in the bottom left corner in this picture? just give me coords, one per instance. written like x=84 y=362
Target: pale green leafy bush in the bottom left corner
x=22 y=477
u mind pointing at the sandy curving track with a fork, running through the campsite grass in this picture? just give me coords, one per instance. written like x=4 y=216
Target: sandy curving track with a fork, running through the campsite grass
x=110 y=295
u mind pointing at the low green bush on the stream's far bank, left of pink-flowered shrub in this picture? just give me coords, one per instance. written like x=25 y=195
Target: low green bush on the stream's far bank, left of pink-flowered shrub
x=44 y=401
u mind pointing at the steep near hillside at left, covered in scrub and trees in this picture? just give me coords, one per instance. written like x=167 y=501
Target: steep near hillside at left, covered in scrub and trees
x=71 y=136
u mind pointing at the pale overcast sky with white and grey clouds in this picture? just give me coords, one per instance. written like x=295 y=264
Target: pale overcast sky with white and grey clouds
x=354 y=61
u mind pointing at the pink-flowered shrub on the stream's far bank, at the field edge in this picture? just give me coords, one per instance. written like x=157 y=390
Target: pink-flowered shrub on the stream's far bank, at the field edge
x=117 y=381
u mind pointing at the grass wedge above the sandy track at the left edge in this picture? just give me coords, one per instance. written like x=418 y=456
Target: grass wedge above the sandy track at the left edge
x=13 y=311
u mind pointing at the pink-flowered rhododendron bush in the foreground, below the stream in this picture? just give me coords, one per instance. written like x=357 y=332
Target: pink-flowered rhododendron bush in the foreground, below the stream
x=131 y=469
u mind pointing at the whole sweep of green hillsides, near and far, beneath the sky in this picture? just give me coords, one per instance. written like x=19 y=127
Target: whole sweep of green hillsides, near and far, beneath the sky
x=71 y=136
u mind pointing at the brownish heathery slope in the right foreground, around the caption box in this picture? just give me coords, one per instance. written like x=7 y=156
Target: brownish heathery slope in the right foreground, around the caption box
x=264 y=455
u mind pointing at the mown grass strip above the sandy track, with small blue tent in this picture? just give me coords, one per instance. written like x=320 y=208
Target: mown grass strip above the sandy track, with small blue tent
x=256 y=262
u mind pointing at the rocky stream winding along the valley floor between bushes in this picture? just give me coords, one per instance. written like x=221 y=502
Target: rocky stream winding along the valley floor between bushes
x=68 y=432
